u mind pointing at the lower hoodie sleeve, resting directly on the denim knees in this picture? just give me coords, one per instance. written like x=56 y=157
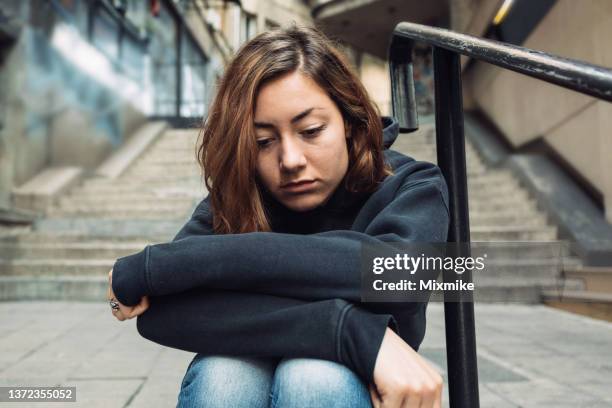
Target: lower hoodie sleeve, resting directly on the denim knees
x=232 y=323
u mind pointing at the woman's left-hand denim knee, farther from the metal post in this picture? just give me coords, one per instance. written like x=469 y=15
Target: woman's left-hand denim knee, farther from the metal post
x=224 y=381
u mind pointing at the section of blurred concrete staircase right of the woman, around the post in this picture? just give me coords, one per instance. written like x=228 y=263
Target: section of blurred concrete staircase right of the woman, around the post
x=525 y=256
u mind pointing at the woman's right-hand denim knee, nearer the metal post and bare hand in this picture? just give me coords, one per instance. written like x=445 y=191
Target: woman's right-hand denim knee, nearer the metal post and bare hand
x=304 y=382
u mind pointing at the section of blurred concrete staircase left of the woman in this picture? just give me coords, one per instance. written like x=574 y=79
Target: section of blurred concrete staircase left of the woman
x=69 y=253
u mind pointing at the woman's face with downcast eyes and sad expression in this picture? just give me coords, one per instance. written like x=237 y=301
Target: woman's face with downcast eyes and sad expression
x=301 y=137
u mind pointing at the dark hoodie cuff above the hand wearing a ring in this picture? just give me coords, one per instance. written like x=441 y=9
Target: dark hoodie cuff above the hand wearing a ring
x=129 y=278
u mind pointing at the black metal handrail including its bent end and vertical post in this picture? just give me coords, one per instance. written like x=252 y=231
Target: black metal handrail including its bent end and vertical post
x=447 y=46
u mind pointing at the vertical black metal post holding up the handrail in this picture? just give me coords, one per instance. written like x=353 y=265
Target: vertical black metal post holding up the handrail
x=458 y=314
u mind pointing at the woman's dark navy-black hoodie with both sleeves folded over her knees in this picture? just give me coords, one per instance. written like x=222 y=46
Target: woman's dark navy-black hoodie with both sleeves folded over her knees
x=296 y=291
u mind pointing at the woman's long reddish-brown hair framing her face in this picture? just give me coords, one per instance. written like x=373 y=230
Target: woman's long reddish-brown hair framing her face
x=227 y=149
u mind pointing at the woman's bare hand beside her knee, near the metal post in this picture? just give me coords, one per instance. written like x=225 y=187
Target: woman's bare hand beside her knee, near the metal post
x=403 y=378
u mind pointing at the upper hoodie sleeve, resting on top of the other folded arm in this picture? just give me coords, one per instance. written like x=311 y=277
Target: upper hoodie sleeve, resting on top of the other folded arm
x=308 y=267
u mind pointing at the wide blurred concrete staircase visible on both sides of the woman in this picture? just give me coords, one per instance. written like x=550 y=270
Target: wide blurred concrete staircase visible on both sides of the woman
x=69 y=253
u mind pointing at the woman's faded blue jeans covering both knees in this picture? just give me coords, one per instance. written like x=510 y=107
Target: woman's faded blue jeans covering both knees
x=256 y=382
